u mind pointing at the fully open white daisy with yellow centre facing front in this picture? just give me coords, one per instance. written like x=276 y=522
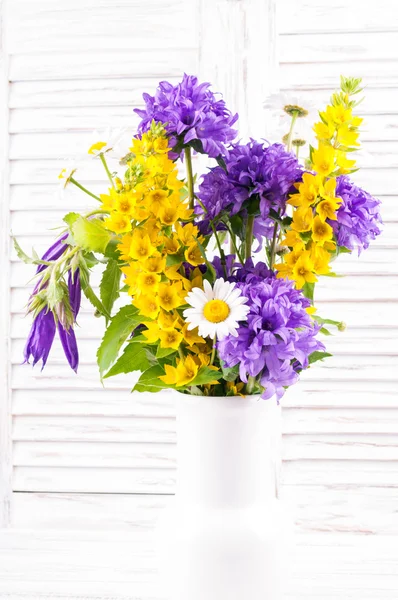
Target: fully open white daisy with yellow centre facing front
x=216 y=311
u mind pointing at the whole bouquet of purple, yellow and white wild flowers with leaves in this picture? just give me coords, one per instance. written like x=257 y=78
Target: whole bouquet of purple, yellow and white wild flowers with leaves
x=239 y=322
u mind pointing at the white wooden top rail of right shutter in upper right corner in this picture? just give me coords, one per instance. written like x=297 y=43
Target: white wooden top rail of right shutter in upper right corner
x=312 y=16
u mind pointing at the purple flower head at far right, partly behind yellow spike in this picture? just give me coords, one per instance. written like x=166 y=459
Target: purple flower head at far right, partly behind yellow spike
x=358 y=216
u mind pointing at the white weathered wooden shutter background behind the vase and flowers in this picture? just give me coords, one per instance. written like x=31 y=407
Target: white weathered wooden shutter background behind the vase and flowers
x=101 y=462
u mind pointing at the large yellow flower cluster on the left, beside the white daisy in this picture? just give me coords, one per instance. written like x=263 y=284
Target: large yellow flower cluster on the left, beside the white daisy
x=151 y=215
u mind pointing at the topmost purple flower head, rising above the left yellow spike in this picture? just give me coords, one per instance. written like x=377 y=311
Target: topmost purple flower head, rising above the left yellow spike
x=191 y=114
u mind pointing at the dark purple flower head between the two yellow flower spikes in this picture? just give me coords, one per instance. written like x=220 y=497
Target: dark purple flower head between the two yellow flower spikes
x=254 y=171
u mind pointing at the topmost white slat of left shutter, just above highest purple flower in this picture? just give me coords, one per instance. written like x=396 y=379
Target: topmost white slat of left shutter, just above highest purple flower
x=151 y=63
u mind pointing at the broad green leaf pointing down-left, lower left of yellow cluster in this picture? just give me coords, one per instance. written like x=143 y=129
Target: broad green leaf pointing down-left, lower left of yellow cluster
x=120 y=327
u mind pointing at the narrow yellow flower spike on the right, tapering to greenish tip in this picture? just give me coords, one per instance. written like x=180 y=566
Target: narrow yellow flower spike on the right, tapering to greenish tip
x=310 y=236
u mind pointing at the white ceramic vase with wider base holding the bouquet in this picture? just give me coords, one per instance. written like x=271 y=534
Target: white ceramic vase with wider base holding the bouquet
x=225 y=536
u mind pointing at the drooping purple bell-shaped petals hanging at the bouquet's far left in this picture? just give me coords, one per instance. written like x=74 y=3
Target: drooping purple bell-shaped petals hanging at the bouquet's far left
x=41 y=335
